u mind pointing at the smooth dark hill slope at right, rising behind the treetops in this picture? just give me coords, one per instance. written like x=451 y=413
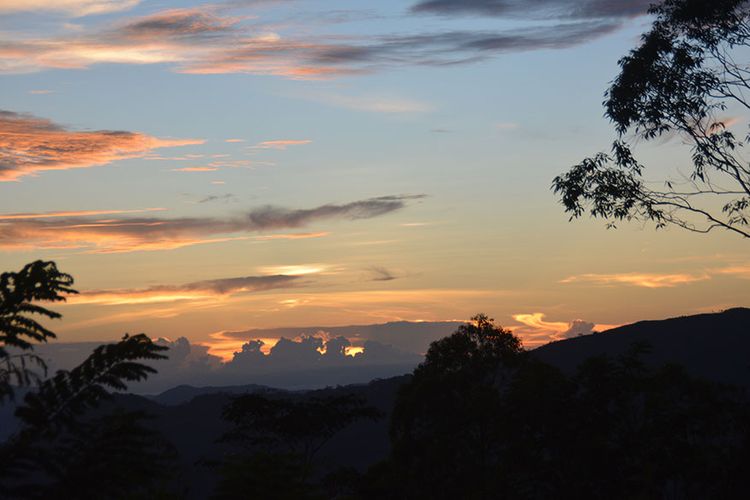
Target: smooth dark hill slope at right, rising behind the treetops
x=715 y=345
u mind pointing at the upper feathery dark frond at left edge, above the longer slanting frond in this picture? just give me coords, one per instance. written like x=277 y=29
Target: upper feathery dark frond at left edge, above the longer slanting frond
x=37 y=281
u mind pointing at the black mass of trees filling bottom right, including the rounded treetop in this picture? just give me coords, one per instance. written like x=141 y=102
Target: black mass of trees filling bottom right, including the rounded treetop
x=480 y=422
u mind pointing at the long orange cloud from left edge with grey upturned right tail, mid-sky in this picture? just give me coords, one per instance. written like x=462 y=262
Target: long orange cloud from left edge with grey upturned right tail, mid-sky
x=126 y=234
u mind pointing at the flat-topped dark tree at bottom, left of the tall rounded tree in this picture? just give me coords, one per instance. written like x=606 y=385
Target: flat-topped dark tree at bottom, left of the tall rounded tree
x=279 y=438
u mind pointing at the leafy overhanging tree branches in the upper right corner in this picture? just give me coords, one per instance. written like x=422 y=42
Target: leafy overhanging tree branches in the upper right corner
x=689 y=71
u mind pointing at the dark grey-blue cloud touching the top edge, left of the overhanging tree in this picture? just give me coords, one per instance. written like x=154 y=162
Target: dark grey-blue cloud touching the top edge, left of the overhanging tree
x=573 y=9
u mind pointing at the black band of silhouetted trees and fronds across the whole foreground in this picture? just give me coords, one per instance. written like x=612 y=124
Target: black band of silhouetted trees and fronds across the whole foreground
x=481 y=417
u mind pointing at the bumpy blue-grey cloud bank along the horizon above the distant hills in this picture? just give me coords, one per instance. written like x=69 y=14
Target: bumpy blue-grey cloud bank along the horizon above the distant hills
x=303 y=358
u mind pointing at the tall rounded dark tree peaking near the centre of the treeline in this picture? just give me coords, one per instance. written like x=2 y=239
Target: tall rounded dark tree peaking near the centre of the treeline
x=446 y=426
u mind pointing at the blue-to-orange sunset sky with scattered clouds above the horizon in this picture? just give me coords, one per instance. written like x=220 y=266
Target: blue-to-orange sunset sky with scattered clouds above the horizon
x=205 y=168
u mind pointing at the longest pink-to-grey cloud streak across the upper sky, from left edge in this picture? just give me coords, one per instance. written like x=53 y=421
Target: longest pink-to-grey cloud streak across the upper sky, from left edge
x=202 y=40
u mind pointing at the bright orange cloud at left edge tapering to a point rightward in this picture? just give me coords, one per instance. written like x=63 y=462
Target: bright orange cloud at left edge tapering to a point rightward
x=29 y=145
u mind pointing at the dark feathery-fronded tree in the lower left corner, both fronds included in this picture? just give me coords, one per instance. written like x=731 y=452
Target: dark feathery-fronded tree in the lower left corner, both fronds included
x=60 y=435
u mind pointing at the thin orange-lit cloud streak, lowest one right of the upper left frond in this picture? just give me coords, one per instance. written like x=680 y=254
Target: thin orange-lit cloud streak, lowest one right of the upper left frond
x=198 y=290
